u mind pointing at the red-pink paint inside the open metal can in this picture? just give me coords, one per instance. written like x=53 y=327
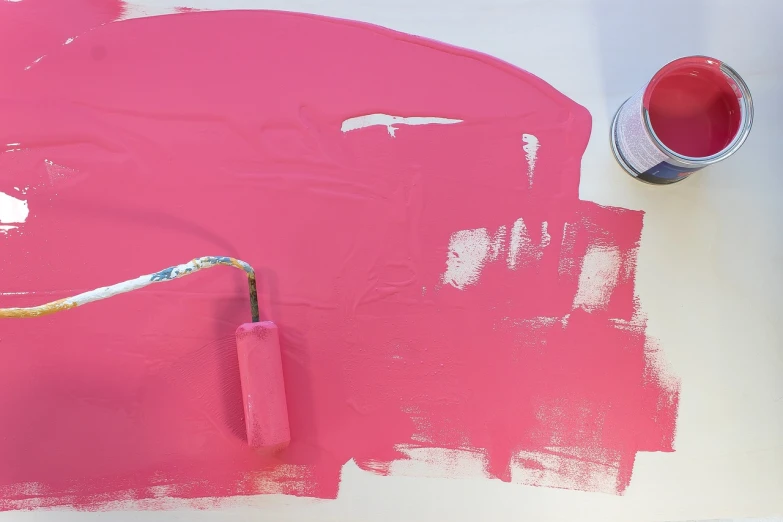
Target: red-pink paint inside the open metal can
x=694 y=109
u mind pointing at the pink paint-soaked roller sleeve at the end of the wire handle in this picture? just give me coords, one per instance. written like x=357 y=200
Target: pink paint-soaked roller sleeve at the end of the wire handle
x=263 y=387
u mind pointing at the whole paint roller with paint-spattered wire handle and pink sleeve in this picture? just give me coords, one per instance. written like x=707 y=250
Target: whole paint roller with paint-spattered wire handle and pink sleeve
x=258 y=349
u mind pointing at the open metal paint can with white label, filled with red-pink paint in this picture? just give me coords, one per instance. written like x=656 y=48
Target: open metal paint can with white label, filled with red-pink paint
x=694 y=112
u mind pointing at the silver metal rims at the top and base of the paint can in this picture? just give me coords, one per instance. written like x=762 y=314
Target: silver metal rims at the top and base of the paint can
x=688 y=162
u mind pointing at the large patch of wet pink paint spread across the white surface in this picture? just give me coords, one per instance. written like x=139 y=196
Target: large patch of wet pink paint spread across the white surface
x=184 y=143
